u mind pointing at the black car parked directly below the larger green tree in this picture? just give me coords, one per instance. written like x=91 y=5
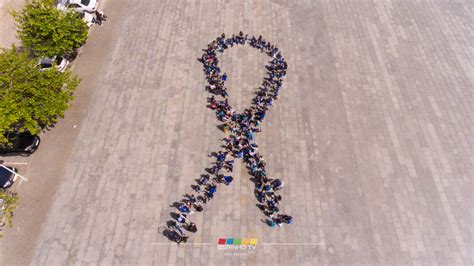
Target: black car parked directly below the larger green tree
x=22 y=143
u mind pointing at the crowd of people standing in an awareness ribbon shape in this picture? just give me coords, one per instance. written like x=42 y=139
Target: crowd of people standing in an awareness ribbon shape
x=241 y=142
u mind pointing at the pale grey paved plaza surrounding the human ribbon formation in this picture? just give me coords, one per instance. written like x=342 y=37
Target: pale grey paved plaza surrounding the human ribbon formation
x=372 y=135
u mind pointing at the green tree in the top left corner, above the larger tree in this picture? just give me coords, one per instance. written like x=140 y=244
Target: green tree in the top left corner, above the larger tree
x=49 y=31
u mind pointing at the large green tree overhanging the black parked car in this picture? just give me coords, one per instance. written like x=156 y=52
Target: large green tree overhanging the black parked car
x=30 y=99
